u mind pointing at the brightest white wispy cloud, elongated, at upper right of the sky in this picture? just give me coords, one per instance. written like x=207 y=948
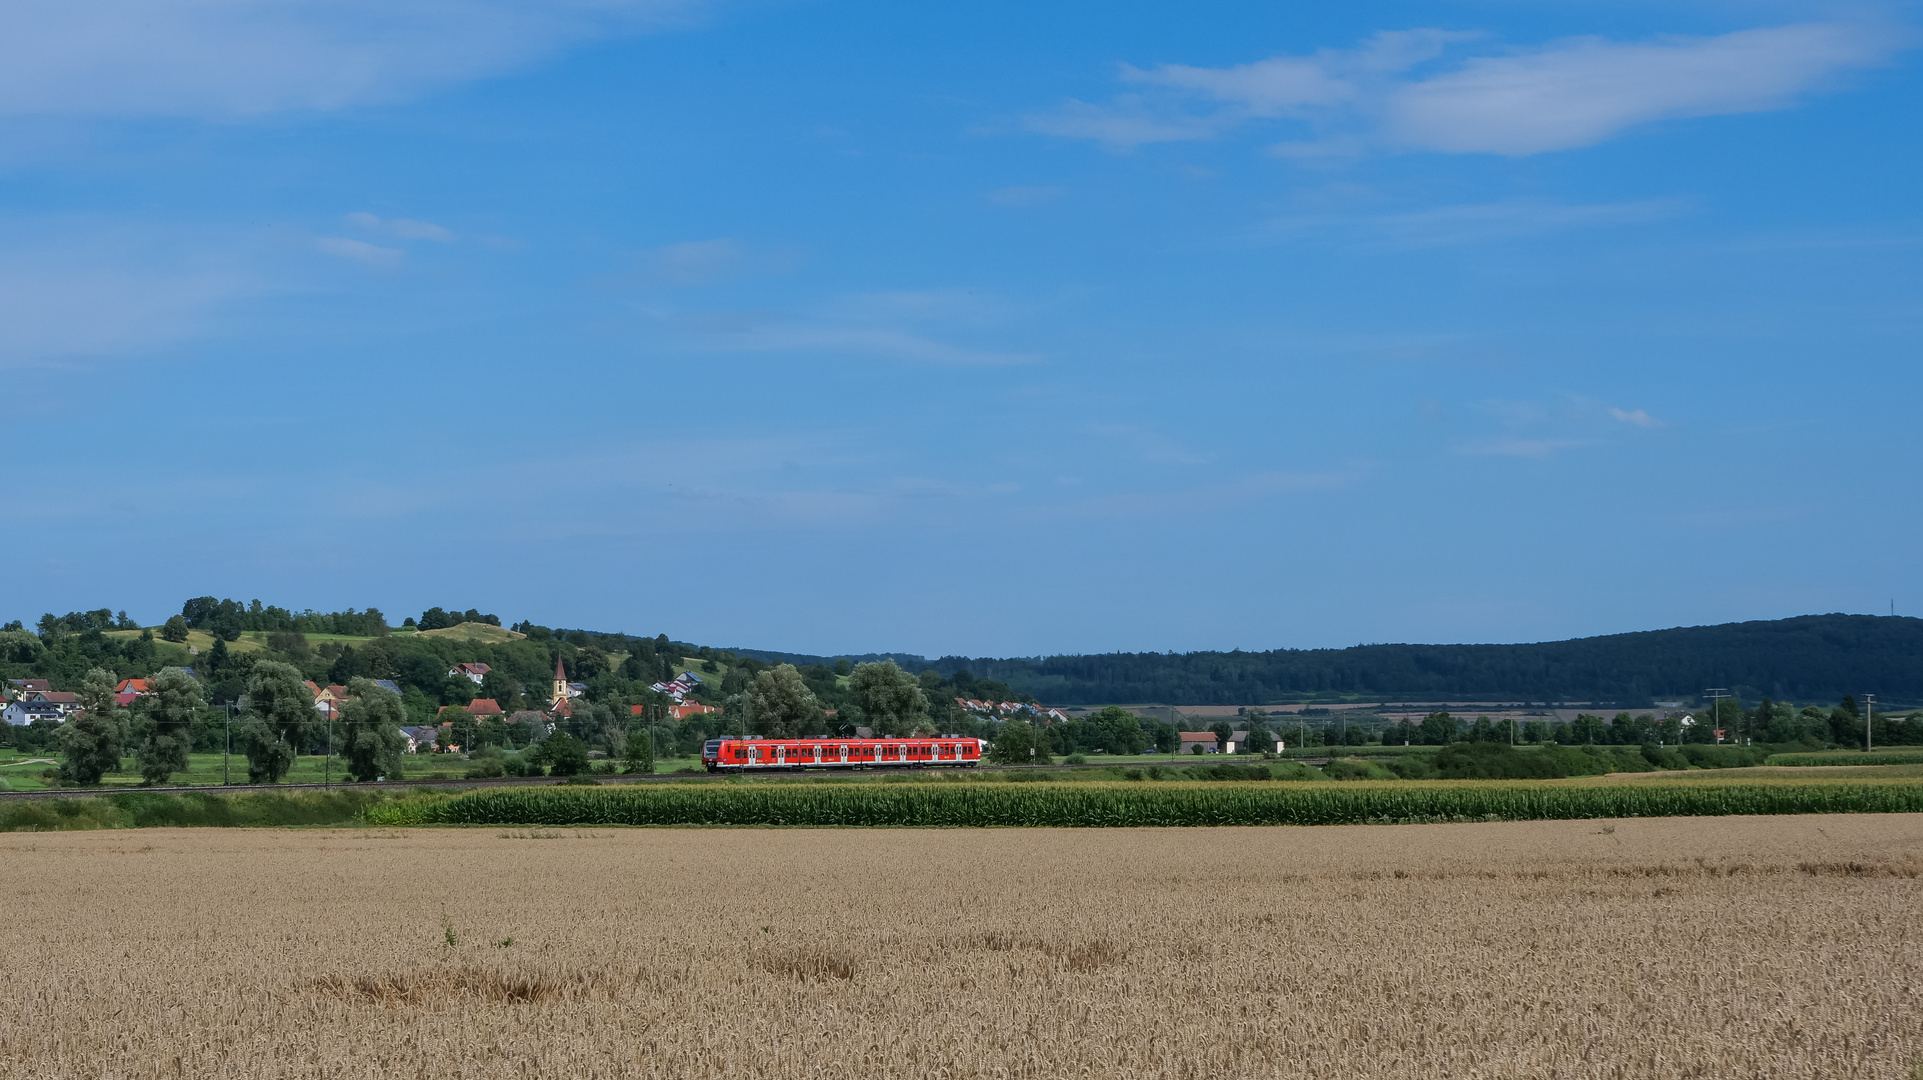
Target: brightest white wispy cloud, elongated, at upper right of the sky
x=1395 y=91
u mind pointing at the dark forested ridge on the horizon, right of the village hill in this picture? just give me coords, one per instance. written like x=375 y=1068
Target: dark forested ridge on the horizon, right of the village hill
x=1812 y=658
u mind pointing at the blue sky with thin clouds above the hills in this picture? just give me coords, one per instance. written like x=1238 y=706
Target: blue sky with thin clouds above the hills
x=989 y=330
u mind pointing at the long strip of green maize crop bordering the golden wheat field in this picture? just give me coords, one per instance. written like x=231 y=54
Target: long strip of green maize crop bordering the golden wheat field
x=1124 y=804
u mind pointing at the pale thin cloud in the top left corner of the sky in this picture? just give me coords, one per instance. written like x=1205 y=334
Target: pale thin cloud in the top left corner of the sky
x=239 y=59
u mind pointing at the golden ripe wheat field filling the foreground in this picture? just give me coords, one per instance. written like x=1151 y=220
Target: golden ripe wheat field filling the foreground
x=1747 y=946
